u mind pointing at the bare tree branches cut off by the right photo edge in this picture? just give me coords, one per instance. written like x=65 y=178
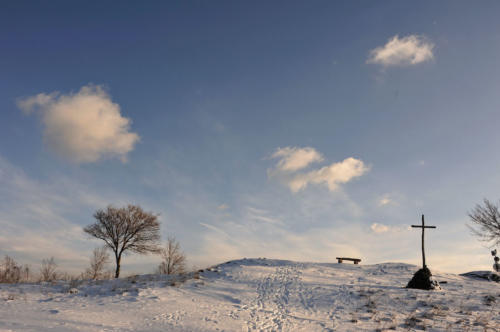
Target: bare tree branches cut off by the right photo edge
x=486 y=218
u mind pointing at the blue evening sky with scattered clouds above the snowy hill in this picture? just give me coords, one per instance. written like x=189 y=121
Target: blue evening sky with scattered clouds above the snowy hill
x=281 y=129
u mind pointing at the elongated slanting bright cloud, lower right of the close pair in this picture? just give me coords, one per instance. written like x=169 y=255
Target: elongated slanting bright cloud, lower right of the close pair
x=333 y=175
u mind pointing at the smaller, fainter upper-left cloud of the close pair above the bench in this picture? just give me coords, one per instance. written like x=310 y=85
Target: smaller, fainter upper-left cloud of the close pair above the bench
x=294 y=158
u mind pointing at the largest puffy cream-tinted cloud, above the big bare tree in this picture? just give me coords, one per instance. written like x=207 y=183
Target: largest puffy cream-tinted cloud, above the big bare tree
x=84 y=126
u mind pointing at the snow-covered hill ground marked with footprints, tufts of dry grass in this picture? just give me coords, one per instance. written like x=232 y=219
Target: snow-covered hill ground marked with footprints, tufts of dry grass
x=258 y=295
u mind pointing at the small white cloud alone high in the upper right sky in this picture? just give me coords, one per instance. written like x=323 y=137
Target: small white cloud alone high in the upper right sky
x=409 y=50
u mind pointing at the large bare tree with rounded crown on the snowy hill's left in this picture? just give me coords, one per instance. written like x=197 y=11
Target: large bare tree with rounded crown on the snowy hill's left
x=126 y=229
